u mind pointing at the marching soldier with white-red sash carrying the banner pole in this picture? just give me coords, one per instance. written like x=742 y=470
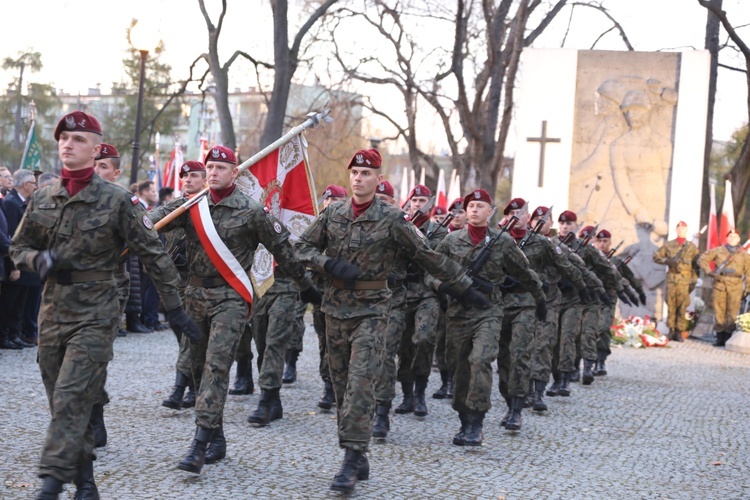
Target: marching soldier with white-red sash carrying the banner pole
x=219 y=301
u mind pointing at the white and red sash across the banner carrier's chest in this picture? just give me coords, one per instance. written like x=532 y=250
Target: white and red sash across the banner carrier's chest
x=226 y=263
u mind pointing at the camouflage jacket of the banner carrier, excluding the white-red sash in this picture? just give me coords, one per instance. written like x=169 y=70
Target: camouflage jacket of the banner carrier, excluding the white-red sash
x=242 y=224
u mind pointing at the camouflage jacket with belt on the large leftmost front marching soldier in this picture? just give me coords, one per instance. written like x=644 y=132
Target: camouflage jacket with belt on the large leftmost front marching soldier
x=89 y=232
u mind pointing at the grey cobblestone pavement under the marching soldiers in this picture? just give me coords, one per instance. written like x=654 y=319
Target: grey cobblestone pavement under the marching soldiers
x=665 y=423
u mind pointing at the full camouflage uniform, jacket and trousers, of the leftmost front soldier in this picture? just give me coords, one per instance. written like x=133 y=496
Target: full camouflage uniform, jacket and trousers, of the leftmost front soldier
x=80 y=309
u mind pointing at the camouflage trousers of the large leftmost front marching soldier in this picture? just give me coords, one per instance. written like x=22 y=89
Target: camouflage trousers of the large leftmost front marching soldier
x=73 y=360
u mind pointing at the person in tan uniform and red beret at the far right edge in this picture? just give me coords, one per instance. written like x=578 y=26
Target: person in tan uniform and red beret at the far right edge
x=732 y=269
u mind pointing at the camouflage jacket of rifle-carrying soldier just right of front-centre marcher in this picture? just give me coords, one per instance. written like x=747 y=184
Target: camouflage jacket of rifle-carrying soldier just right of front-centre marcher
x=505 y=258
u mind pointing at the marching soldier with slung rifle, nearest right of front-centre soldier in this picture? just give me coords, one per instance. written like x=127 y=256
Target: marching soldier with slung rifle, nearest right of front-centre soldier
x=475 y=334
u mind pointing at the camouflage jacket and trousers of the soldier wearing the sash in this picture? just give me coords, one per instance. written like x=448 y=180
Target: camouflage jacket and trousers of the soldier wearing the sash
x=219 y=311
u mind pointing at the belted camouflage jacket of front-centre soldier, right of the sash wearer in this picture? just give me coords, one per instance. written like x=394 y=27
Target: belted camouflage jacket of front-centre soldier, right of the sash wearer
x=371 y=242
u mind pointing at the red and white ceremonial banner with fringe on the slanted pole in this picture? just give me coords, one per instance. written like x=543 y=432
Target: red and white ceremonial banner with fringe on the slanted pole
x=281 y=182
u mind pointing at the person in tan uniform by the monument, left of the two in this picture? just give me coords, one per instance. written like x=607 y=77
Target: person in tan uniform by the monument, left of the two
x=678 y=255
